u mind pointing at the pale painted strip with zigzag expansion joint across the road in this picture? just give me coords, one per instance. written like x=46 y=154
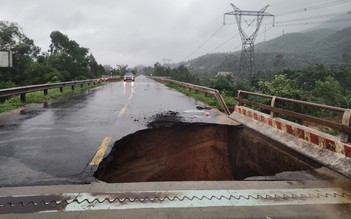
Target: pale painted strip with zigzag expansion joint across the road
x=171 y=199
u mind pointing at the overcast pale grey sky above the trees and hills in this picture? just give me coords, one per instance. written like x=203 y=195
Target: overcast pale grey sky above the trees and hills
x=136 y=32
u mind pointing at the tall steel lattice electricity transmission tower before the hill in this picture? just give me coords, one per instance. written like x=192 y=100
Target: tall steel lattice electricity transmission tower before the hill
x=247 y=58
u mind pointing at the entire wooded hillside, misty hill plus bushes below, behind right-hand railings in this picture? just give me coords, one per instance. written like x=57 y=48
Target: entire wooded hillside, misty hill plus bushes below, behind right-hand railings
x=312 y=67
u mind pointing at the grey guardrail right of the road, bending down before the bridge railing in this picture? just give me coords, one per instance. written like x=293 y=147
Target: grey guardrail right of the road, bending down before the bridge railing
x=207 y=90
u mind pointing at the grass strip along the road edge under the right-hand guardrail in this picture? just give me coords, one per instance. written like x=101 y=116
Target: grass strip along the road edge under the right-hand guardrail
x=209 y=100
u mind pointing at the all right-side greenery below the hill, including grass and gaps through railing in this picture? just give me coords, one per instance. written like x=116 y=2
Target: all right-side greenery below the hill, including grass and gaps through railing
x=317 y=83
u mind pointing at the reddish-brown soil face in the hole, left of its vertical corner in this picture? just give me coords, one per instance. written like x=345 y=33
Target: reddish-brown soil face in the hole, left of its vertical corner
x=182 y=153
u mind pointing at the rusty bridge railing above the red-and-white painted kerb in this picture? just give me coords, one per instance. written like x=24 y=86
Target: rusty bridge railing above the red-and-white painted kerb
x=344 y=126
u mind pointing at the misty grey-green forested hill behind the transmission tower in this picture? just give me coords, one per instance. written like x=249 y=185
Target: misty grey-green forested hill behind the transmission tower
x=293 y=50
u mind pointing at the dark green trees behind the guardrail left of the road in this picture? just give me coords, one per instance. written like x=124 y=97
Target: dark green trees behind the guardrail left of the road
x=64 y=60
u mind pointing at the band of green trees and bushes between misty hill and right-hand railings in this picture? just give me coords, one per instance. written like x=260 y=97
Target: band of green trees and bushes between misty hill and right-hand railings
x=319 y=84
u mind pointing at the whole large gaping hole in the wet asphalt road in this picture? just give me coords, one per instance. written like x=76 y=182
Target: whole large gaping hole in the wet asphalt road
x=178 y=151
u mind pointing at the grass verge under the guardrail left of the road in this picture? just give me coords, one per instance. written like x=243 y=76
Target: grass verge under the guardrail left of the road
x=14 y=102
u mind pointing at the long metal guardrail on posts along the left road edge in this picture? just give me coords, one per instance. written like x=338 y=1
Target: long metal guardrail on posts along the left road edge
x=22 y=91
